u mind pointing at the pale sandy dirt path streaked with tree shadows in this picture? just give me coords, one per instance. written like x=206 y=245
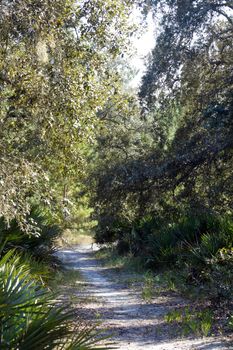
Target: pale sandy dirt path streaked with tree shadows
x=134 y=323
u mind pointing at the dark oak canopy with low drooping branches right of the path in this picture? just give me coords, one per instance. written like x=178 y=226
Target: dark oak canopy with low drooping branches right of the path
x=186 y=100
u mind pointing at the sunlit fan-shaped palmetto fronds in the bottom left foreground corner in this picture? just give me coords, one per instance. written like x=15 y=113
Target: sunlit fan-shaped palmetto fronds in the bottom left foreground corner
x=30 y=317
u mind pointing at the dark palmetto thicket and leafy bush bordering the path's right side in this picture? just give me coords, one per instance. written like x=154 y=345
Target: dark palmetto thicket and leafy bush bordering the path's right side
x=200 y=246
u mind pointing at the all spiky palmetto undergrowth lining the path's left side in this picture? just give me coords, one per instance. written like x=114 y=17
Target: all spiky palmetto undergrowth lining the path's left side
x=36 y=309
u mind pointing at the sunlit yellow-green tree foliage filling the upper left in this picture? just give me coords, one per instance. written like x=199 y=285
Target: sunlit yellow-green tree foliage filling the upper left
x=56 y=75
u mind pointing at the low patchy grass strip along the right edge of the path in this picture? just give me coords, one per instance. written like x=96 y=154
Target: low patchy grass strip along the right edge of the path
x=197 y=320
